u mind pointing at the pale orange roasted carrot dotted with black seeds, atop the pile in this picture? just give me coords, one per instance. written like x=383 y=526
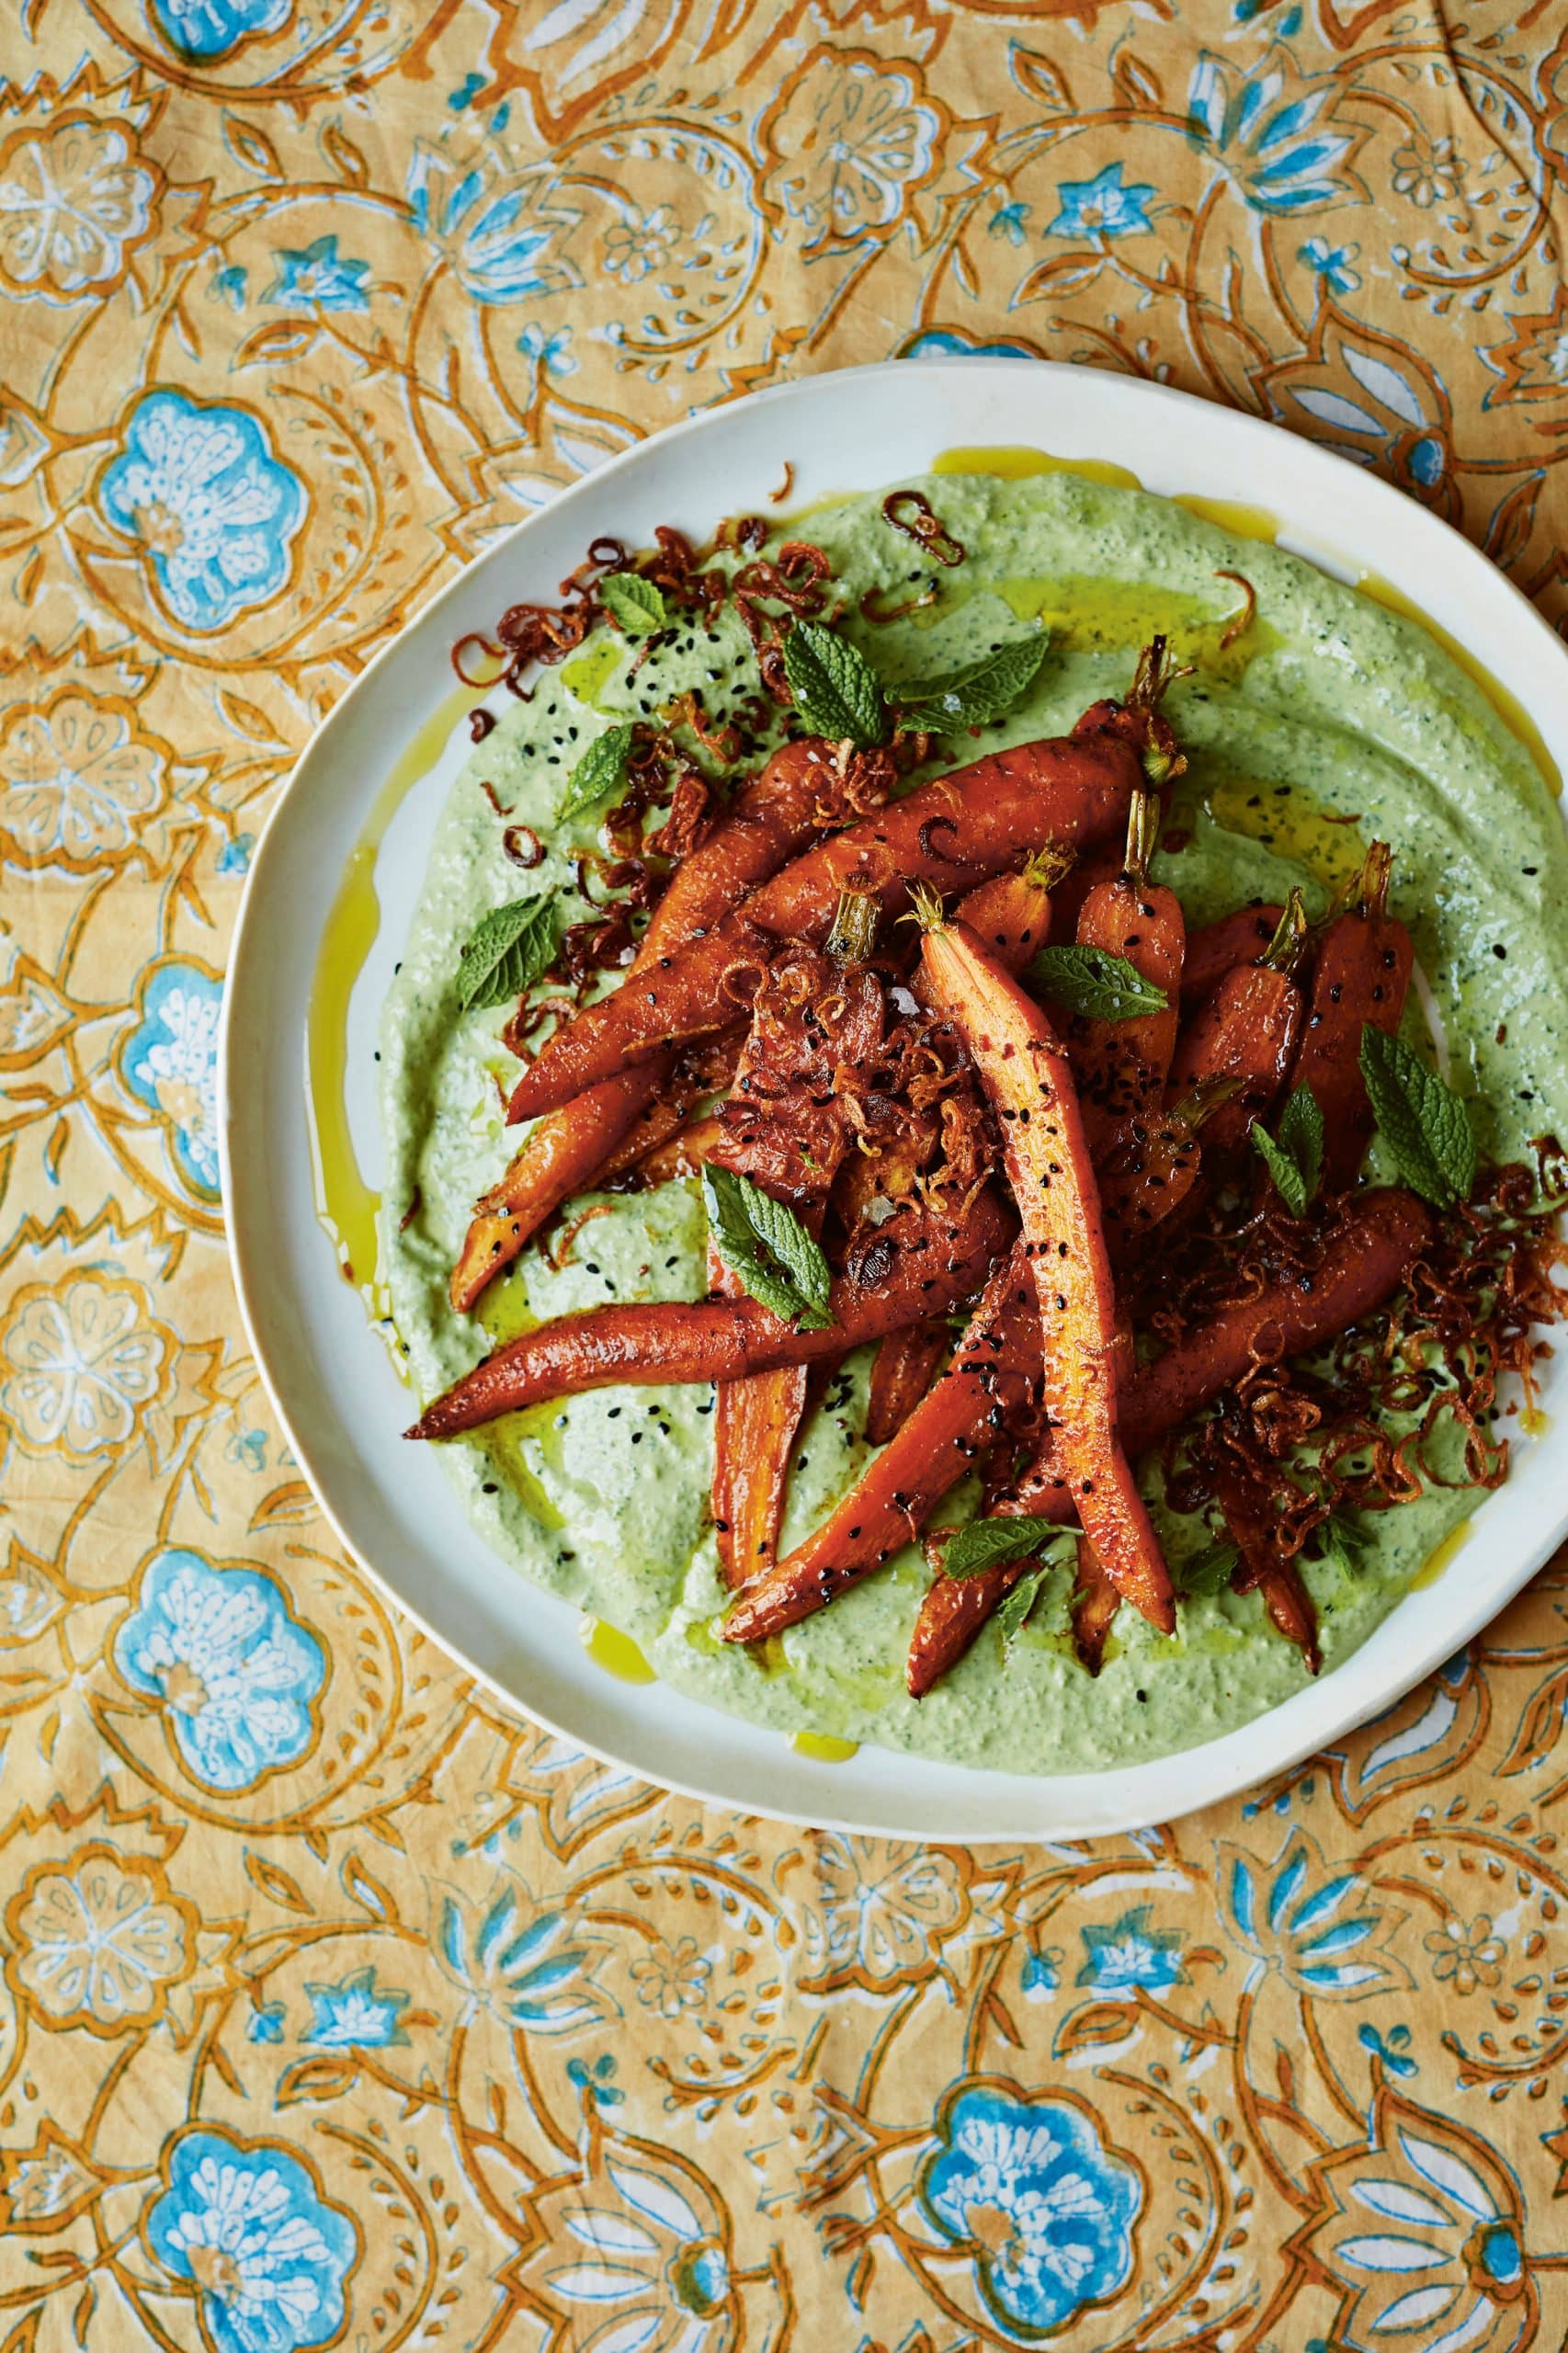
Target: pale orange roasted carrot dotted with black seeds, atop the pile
x=1028 y=1076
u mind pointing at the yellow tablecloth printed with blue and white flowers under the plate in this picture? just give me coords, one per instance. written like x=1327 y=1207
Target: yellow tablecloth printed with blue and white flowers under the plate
x=338 y=2004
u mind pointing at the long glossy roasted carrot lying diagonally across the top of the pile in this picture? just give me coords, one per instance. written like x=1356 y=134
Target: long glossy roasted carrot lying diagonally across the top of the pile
x=950 y=834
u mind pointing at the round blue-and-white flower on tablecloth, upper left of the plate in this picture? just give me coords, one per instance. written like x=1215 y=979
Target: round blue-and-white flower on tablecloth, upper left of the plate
x=208 y=502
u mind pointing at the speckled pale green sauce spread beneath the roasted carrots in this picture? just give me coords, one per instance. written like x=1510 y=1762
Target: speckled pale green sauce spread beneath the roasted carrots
x=1357 y=712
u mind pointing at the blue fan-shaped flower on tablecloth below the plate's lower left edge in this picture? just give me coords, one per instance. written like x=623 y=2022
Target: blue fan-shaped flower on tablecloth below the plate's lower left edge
x=519 y=1964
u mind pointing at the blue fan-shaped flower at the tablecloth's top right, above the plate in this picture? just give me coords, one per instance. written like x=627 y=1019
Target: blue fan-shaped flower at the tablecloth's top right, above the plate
x=1263 y=133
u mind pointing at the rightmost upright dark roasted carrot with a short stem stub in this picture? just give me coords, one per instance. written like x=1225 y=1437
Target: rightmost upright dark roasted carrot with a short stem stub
x=1362 y=975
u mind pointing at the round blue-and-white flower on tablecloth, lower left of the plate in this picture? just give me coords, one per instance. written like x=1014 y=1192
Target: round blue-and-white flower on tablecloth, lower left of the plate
x=232 y=1669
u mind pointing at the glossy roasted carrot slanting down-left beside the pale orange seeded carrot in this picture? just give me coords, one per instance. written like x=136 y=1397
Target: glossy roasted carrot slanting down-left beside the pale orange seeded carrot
x=929 y=1455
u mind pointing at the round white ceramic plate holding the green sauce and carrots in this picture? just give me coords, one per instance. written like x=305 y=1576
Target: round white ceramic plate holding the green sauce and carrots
x=328 y=1371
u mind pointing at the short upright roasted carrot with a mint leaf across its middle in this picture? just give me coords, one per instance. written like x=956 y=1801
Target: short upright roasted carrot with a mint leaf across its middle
x=1119 y=1067
